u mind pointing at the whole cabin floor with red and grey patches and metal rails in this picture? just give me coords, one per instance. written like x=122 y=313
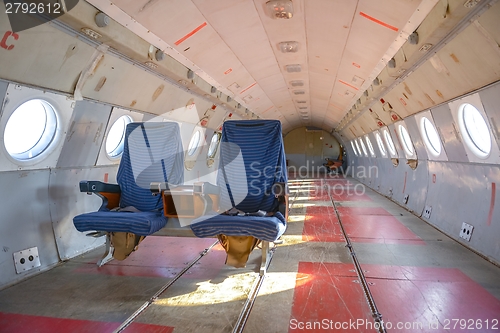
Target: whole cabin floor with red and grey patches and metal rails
x=421 y=281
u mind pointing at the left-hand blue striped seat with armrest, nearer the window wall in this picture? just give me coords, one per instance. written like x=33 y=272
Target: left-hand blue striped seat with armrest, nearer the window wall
x=152 y=151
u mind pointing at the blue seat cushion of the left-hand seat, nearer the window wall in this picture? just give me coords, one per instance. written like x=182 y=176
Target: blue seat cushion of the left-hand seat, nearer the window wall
x=141 y=223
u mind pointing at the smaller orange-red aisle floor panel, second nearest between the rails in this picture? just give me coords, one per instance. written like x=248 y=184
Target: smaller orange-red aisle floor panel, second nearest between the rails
x=321 y=225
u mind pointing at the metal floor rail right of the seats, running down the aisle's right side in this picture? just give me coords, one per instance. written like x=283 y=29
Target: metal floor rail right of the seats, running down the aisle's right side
x=377 y=316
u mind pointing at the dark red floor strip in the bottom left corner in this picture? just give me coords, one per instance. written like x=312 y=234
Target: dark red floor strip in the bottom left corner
x=17 y=323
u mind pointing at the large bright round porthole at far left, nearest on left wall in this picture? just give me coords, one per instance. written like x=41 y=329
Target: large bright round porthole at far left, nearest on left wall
x=30 y=129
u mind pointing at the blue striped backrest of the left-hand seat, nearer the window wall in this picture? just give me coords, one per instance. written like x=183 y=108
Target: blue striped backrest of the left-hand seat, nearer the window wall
x=152 y=152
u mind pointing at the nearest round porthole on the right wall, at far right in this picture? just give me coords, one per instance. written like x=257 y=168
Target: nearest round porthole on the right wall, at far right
x=474 y=130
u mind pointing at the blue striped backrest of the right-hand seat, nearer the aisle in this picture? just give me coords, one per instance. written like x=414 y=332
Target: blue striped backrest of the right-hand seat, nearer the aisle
x=260 y=143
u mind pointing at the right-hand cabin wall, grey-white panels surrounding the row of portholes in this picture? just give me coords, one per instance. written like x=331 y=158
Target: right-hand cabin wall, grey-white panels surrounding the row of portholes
x=457 y=189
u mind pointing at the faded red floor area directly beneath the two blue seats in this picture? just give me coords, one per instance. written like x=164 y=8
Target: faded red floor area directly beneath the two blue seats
x=163 y=257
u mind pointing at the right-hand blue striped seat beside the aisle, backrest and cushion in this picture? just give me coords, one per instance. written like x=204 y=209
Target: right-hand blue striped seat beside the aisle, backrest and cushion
x=252 y=162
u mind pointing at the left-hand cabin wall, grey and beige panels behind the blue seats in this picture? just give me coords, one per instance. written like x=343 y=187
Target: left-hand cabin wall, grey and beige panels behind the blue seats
x=40 y=200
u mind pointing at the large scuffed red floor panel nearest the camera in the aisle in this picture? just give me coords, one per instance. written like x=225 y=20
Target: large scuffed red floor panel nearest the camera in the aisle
x=327 y=298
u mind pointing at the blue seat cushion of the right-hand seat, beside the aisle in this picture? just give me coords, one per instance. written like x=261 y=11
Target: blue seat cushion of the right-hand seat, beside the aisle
x=268 y=228
